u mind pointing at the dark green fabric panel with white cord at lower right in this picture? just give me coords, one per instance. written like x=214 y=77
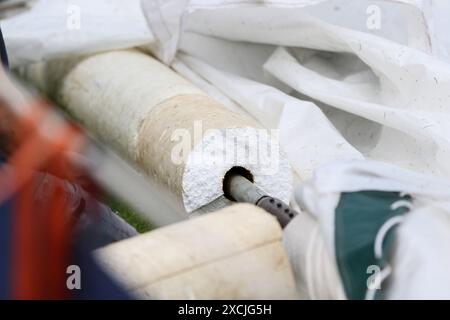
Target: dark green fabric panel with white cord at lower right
x=358 y=219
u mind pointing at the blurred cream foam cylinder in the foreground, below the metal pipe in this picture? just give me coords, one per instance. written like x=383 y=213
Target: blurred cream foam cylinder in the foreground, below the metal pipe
x=235 y=253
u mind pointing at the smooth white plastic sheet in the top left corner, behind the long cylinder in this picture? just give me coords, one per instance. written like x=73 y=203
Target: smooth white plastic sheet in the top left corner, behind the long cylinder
x=59 y=28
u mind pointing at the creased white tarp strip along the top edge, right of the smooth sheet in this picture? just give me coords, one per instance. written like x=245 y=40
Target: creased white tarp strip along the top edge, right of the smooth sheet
x=407 y=22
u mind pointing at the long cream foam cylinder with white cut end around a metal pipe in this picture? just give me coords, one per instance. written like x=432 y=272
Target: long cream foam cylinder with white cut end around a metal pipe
x=152 y=115
